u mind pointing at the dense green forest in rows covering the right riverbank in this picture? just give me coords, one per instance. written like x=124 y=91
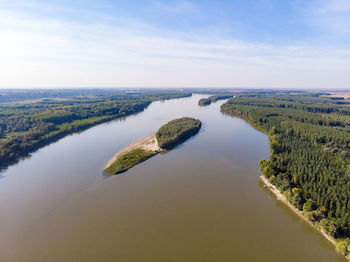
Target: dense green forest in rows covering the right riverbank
x=310 y=153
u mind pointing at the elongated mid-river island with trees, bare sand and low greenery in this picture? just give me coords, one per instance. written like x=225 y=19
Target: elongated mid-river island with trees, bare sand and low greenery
x=167 y=137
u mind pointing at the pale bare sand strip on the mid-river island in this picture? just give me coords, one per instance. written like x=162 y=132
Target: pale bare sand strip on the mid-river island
x=149 y=143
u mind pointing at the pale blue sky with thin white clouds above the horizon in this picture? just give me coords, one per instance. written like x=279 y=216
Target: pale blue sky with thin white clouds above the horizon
x=221 y=43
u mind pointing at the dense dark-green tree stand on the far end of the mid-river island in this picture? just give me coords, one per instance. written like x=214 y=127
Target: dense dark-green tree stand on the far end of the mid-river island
x=177 y=131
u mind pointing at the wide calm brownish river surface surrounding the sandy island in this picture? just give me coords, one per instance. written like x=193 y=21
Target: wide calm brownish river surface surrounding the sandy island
x=202 y=201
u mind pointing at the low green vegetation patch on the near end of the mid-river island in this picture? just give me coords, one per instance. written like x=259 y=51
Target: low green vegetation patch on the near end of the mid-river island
x=129 y=160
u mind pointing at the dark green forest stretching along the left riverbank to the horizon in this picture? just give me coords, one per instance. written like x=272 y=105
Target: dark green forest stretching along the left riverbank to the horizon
x=26 y=127
